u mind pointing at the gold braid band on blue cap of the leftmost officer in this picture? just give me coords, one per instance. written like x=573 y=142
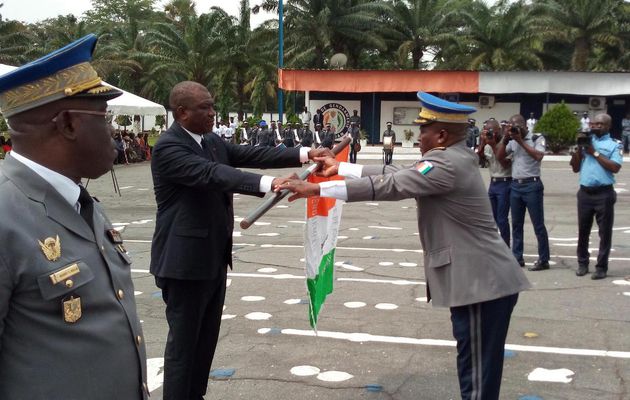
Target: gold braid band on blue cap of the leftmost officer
x=67 y=82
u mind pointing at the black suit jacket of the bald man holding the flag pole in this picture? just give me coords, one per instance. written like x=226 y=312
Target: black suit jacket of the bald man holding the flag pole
x=193 y=190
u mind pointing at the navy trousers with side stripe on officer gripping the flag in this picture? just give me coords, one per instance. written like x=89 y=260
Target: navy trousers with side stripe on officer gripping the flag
x=480 y=330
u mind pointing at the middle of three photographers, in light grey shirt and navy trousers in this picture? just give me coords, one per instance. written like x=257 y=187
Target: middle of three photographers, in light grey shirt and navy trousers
x=527 y=190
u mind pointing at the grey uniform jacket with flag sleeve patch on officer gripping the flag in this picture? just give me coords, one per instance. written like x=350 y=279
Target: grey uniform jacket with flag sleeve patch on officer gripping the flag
x=465 y=259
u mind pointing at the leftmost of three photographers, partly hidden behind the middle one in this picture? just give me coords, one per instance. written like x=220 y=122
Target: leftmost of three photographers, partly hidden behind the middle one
x=500 y=176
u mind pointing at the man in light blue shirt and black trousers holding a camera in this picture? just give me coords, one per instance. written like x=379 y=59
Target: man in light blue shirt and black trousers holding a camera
x=597 y=158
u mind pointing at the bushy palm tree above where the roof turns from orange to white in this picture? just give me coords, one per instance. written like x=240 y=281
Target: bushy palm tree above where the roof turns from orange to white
x=502 y=37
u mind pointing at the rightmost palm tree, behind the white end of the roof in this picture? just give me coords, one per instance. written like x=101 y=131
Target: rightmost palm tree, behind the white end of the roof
x=584 y=24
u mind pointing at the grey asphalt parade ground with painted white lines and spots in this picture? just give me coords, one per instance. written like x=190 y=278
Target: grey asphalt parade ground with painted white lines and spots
x=377 y=337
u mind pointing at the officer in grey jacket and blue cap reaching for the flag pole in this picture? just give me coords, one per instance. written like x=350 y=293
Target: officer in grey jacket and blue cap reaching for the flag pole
x=467 y=265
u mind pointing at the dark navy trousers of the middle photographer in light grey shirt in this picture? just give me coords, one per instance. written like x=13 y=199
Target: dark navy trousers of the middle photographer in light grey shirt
x=528 y=196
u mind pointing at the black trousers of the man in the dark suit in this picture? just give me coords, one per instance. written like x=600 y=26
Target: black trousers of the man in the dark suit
x=193 y=313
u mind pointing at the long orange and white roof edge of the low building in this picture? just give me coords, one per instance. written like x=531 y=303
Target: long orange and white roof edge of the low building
x=379 y=81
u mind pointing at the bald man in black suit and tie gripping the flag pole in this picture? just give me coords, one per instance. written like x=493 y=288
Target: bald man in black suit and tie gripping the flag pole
x=194 y=177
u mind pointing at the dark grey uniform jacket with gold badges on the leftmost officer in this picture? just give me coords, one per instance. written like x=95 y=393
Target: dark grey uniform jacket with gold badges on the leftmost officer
x=42 y=357
